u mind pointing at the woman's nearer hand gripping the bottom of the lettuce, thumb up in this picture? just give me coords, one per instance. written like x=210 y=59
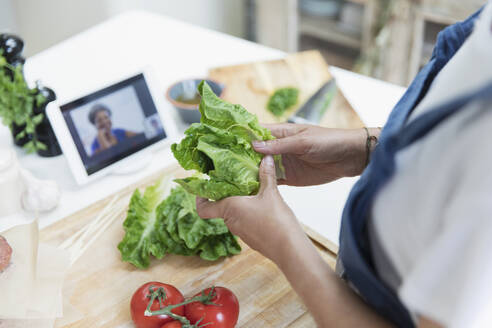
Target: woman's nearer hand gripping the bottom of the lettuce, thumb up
x=263 y=221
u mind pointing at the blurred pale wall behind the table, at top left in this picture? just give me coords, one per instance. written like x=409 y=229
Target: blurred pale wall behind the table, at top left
x=42 y=23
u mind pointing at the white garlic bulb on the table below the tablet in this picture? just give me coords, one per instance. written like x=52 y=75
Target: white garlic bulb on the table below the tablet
x=39 y=195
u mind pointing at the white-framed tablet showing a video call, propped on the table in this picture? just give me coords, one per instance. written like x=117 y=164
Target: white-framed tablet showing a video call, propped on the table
x=105 y=130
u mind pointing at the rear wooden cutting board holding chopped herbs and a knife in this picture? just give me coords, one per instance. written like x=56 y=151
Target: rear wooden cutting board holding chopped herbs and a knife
x=251 y=85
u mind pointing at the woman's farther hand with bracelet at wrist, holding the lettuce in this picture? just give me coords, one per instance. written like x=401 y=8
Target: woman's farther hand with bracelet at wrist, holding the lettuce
x=314 y=155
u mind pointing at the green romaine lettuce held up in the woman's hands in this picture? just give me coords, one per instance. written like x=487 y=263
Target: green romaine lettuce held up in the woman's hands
x=220 y=146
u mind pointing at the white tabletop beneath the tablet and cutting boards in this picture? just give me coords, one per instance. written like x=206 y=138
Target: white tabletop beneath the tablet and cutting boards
x=176 y=50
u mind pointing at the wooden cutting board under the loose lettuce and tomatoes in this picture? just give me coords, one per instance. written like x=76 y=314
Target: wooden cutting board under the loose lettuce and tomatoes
x=99 y=285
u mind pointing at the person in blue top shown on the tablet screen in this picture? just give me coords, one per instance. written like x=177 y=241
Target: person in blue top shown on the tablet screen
x=107 y=136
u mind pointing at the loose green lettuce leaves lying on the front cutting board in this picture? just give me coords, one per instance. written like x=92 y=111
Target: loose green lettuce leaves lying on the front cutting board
x=163 y=222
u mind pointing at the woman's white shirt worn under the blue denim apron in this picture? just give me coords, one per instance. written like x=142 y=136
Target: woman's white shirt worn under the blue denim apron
x=434 y=217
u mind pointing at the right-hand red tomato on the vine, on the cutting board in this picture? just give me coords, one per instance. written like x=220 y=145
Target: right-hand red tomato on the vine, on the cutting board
x=222 y=315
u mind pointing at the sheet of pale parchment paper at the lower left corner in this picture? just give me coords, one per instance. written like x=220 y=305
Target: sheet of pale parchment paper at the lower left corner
x=30 y=287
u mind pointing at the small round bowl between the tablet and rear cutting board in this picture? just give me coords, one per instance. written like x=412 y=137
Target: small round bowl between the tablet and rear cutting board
x=181 y=93
